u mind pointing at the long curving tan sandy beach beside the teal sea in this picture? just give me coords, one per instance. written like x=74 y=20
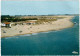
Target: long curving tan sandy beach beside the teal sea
x=28 y=29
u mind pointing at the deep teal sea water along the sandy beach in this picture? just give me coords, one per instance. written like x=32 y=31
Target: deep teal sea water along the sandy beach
x=62 y=42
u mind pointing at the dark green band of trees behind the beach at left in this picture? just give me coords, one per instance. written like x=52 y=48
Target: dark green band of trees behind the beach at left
x=7 y=18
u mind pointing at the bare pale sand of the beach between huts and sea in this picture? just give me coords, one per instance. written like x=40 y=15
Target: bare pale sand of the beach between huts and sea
x=57 y=25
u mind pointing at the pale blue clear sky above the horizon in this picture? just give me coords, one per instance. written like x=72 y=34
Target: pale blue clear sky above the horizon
x=39 y=7
